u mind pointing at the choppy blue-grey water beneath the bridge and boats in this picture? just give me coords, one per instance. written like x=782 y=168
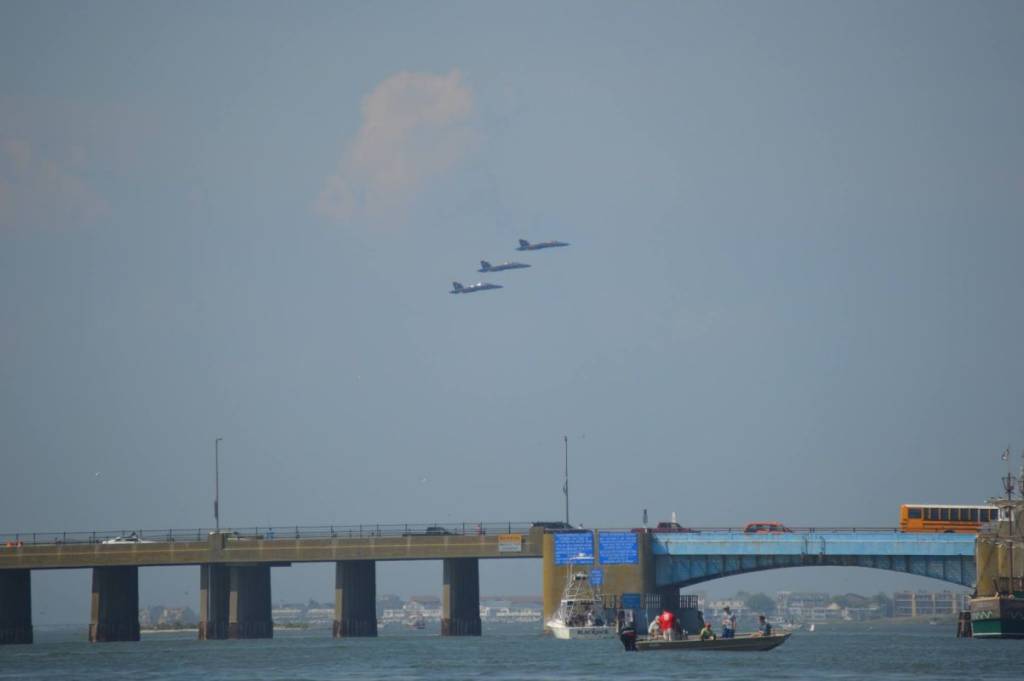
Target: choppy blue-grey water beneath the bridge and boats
x=513 y=652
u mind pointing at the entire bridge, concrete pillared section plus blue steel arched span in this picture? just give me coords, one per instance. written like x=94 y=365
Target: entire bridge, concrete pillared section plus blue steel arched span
x=235 y=567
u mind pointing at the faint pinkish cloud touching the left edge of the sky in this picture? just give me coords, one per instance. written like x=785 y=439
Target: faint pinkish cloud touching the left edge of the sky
x=36 y=192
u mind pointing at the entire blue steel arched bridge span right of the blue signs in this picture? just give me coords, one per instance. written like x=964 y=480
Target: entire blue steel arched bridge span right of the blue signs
x=682 y=560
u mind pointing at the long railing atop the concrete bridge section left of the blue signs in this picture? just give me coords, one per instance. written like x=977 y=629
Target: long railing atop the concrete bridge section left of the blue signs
x=127 y=537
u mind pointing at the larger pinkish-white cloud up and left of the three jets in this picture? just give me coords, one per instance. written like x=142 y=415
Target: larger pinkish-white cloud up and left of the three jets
x=415 y=127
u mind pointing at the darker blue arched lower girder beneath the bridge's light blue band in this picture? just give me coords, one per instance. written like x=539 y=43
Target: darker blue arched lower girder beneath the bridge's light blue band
x=677 y=571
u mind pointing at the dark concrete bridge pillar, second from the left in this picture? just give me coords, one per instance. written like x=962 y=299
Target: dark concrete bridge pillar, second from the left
x=114 y=613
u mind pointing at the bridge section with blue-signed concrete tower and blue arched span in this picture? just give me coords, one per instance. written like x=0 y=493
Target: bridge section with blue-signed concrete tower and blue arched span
x=652 y=567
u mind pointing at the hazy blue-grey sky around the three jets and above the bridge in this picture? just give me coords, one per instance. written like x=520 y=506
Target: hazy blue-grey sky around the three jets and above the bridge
x=793 y=292
